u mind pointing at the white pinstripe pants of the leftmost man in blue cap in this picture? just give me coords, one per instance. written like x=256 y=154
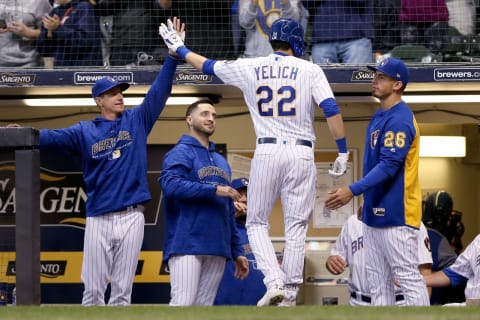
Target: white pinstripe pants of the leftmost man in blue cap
x=110 y=254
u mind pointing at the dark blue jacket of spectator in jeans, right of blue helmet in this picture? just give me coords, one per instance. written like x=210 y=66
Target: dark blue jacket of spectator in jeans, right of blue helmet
x=336 y=20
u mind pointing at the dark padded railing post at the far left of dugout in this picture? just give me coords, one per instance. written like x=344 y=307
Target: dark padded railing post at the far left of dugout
x=24 y=142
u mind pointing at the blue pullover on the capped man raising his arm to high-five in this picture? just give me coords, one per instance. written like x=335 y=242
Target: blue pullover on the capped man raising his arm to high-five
x=114 y=152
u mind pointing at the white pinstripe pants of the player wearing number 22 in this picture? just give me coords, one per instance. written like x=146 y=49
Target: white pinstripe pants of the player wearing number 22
x=287 y=171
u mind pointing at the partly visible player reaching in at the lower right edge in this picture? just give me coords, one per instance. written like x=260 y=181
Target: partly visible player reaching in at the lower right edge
x=466 y=269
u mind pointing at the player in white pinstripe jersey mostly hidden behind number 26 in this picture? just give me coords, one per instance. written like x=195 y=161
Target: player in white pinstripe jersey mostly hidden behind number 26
x=348 y=252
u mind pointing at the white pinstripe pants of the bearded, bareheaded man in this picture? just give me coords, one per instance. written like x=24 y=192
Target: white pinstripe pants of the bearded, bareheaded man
x=195 y=279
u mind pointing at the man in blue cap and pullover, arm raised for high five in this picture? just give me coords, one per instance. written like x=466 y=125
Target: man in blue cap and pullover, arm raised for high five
x=113 y=150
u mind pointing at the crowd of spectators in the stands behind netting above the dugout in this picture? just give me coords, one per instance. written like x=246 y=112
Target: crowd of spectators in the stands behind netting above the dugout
x=124 y=33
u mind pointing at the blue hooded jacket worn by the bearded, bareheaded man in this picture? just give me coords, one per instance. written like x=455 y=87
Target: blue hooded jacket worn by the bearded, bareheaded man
x=198 y=222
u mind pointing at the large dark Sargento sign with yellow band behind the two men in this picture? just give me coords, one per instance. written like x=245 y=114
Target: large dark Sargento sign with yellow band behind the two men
x=62 y=224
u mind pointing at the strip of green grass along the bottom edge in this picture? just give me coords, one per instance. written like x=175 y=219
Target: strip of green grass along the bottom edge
x=162 y=312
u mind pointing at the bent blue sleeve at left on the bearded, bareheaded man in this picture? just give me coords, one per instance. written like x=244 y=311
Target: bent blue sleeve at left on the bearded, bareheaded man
x=175 y=181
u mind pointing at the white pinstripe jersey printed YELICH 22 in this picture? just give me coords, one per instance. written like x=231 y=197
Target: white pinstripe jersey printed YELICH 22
x=280 y=91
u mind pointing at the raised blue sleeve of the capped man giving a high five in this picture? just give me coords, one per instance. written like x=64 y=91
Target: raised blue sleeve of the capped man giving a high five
x=156 y=97
